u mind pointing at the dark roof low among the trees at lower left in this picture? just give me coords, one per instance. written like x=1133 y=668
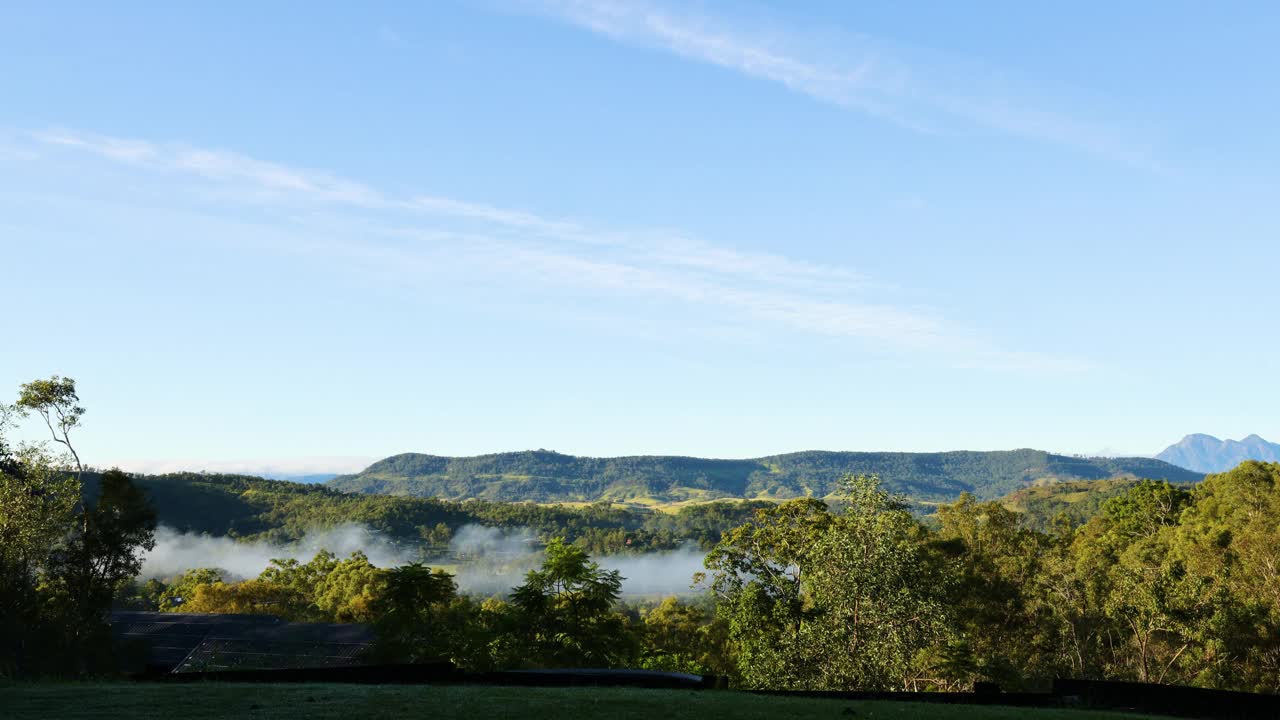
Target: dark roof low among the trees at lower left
x=182 y=642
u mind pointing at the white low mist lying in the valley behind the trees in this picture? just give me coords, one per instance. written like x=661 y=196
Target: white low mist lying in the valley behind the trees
x=484 y=560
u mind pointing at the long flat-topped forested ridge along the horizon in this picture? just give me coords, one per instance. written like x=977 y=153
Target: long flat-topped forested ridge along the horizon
x=551 y=477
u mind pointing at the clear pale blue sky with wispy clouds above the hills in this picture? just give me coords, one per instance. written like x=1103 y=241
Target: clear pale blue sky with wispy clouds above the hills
x=308 y=235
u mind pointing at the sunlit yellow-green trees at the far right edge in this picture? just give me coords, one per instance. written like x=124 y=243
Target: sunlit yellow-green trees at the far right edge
x=1146 y=590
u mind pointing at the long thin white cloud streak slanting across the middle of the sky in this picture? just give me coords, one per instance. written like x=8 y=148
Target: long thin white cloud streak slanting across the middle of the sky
x=747 y=286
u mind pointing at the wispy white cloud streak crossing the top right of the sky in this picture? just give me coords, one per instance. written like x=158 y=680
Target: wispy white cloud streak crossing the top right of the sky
x=918 y=90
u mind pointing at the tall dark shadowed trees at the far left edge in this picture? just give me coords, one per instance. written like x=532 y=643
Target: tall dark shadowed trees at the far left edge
x=65 y=553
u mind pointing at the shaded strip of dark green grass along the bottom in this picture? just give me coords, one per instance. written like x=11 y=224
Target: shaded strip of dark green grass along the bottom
x=75 y=701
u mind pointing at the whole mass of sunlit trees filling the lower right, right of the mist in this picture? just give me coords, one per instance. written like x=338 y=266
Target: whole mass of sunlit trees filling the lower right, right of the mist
x=1160 y=585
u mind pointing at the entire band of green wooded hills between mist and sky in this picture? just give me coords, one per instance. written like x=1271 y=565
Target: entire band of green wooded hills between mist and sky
x=255 y=508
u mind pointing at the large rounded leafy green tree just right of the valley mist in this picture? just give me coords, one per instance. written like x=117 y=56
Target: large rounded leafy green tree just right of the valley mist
x=821 y=601
